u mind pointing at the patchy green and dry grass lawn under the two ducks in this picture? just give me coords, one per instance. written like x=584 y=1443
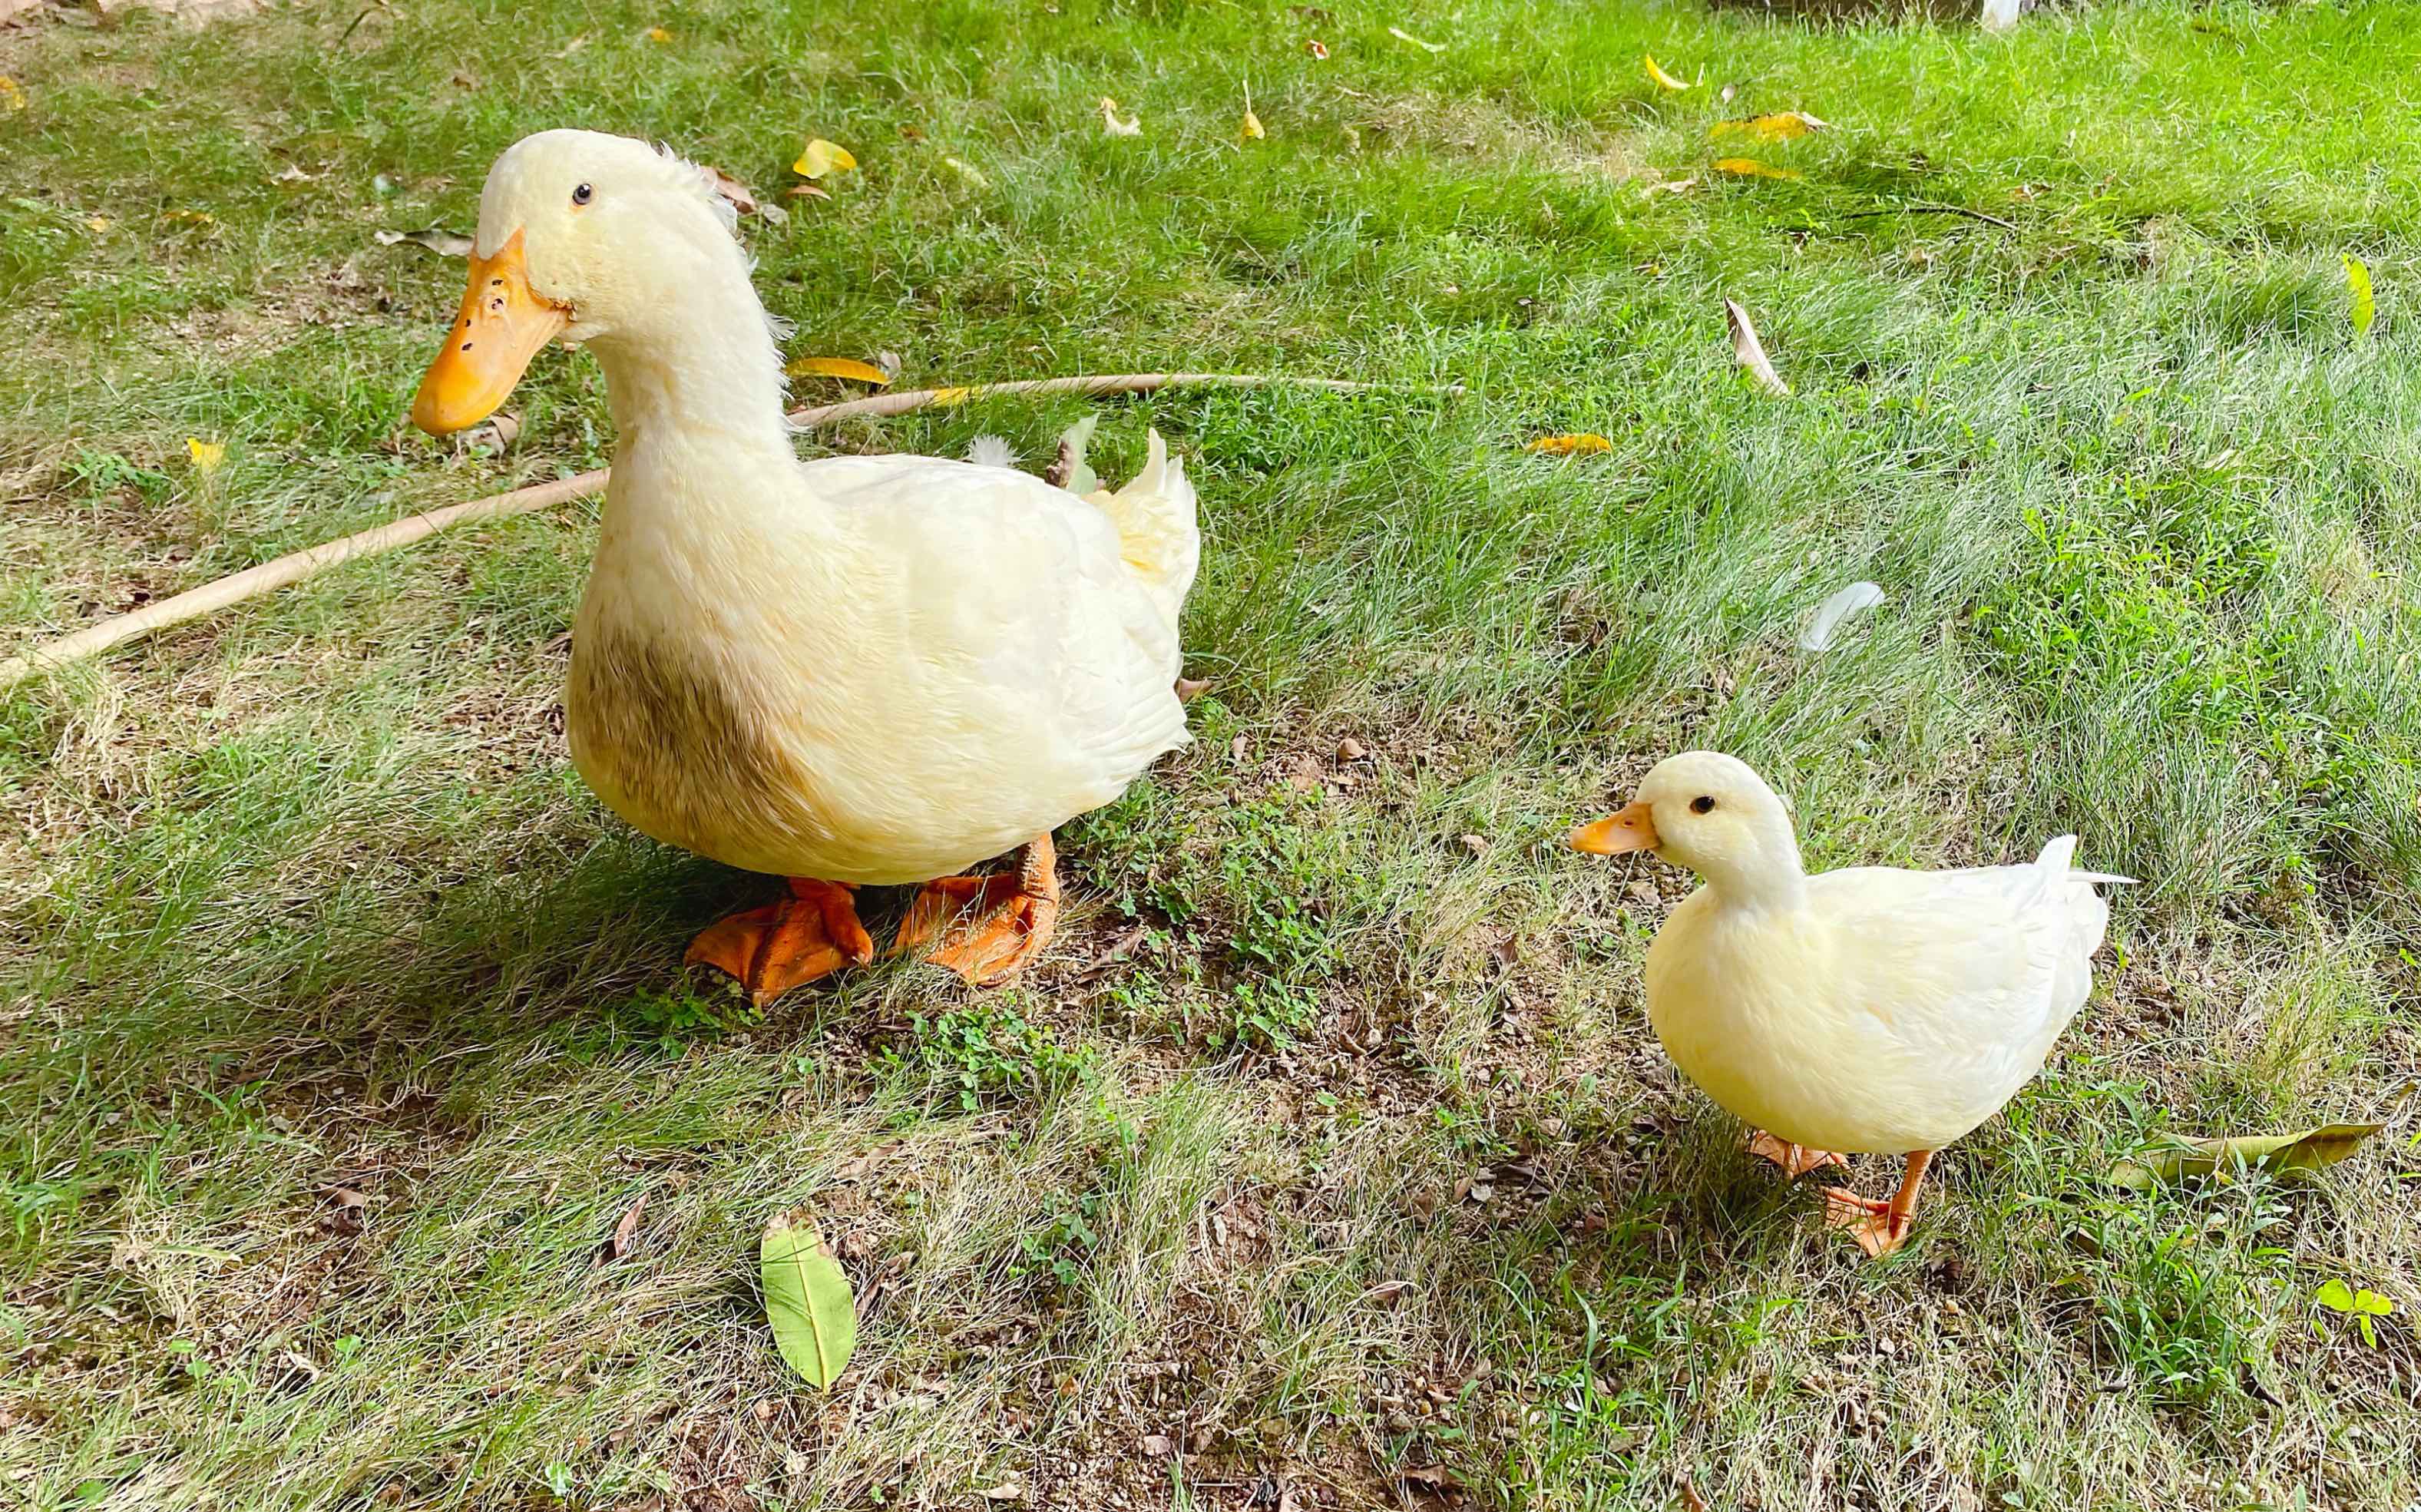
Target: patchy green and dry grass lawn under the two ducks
x=1328 y=1142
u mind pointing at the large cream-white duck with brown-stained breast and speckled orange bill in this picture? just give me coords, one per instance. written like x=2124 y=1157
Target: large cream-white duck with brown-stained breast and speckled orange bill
x=846 y=672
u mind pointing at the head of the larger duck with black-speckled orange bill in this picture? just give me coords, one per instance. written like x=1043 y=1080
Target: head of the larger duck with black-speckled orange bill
x=604 y=241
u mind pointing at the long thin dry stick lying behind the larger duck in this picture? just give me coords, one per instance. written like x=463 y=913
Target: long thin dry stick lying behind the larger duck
x=314 y=561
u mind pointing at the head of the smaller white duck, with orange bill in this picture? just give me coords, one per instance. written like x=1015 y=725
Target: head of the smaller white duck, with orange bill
x=1708 y=813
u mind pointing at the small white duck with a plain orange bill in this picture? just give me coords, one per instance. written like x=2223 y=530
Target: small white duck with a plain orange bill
x=1856 y=1012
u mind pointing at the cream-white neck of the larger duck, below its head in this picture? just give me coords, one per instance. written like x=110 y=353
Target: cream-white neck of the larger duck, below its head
x=713 y=370
